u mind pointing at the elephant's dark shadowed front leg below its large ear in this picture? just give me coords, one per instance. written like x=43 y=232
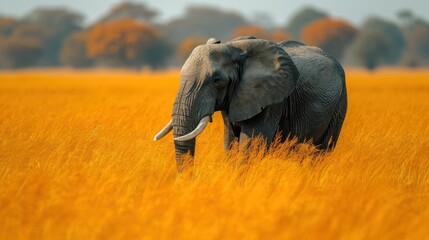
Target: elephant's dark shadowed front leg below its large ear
x=264 y=125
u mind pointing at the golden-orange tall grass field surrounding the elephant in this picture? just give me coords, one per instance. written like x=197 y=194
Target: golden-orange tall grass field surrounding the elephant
x=77 y=161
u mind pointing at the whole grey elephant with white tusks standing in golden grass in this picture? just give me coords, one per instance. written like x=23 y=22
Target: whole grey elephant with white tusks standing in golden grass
x=262 y=89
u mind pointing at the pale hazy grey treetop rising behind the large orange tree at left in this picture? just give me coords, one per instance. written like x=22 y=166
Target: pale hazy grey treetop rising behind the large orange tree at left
x=131 y=10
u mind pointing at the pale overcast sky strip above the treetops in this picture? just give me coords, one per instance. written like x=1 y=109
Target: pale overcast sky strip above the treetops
x=280 y=10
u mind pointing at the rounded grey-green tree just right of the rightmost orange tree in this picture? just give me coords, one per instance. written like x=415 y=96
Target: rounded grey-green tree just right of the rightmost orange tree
x=378 y=42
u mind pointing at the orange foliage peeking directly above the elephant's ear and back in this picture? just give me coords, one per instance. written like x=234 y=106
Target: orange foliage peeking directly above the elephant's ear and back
x=259 y=32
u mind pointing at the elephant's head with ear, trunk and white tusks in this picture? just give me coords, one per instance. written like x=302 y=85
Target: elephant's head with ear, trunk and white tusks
x=241 y=77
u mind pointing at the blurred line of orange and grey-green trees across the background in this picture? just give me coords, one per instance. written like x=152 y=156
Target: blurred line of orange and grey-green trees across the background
x=129 y=35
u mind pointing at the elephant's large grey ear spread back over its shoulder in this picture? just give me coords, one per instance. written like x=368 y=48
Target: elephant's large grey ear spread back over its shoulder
x=268 y=76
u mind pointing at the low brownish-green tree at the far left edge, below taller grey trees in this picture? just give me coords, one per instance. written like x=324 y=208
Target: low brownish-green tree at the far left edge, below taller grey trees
x=19 y=52
